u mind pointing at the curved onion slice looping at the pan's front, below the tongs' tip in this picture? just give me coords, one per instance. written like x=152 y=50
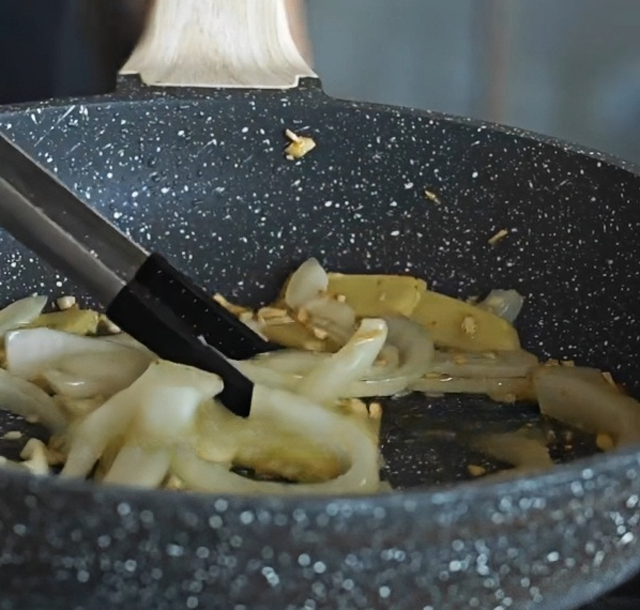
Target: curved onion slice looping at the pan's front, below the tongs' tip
x=312 y=423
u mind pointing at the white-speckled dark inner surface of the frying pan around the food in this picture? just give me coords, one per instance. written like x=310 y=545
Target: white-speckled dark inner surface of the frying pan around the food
x=218 y=197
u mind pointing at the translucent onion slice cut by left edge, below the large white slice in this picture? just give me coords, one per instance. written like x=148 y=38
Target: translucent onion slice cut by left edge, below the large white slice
x=26 y=399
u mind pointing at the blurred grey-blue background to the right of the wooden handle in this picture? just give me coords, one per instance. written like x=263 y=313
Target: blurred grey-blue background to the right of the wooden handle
x=570 y=68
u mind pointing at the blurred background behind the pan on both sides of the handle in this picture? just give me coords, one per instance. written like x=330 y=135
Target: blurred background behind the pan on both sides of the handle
x=570 y=69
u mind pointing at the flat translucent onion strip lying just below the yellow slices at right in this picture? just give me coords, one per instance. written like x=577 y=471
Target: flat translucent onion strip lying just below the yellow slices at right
x=502 y=364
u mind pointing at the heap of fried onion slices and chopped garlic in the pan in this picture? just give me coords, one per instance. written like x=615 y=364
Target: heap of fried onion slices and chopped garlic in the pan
x=120 y=415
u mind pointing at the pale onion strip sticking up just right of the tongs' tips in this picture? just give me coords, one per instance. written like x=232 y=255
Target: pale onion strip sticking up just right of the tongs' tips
x=328 y=381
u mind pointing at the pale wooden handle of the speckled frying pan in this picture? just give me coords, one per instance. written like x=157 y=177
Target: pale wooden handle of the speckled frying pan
x=218 y=43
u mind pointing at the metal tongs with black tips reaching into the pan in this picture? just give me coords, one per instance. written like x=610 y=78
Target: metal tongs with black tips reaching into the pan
x=142 y=292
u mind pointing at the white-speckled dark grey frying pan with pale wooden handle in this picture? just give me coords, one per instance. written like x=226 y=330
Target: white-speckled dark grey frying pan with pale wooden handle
x=198 y=172
